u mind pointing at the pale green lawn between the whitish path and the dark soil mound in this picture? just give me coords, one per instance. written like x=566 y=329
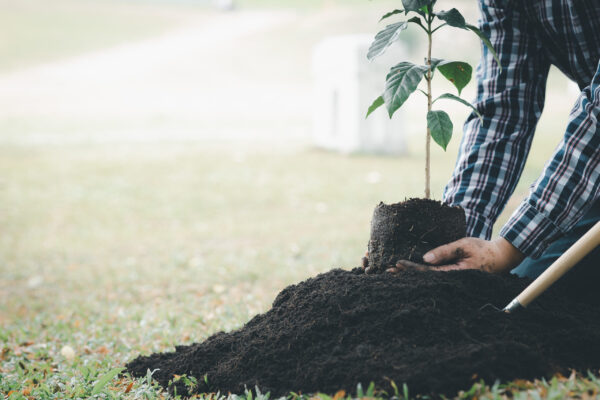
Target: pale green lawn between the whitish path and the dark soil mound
x=110 y=252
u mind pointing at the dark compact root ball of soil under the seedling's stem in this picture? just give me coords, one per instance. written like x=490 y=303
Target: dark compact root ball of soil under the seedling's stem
x=408 y=230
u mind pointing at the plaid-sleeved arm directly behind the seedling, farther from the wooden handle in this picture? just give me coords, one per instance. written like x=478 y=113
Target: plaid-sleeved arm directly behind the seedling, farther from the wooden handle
x=493 y=151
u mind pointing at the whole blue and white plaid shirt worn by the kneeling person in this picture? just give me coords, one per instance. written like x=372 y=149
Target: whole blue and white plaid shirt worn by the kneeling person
x=529 y=36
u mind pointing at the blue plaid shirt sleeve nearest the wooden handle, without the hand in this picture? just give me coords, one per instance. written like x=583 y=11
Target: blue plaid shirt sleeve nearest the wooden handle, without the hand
x=569 y=185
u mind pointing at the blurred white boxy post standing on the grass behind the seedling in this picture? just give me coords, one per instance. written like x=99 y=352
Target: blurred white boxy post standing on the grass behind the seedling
x=346 y=84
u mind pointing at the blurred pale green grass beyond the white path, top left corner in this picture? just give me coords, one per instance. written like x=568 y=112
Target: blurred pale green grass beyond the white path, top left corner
x=35 y=31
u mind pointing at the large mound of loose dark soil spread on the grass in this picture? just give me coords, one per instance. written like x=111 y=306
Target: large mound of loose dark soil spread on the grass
x=425 y=329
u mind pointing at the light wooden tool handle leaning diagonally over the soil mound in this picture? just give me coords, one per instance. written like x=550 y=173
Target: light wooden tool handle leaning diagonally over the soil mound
x=568 y=260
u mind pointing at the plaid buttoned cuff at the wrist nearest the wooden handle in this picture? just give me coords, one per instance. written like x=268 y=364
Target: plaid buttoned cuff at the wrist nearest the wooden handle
x=530 y=231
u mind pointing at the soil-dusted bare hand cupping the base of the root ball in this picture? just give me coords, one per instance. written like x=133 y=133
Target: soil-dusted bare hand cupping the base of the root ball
x=496 y=256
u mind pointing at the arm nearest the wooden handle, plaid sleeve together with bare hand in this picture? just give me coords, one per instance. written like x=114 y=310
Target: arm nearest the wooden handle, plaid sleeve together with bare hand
x=568 y=187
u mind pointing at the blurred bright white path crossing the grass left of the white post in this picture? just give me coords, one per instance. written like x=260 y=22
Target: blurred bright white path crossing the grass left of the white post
x=201 y=81
